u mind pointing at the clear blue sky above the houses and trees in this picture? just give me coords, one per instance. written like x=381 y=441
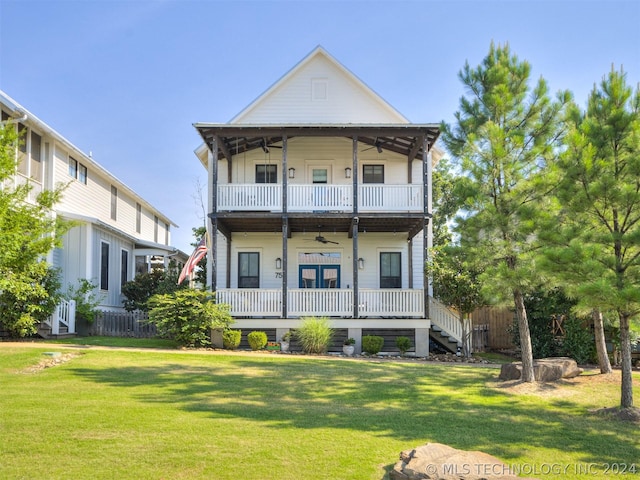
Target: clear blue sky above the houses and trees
x=127 y=79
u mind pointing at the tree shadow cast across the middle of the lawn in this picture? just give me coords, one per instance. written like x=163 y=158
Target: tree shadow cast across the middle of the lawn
x=453 y=405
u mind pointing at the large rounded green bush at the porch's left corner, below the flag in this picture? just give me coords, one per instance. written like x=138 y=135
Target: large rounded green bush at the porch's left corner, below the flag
x=187 y=316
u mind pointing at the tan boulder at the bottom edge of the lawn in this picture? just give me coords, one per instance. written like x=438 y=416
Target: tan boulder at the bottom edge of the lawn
x=442 y=462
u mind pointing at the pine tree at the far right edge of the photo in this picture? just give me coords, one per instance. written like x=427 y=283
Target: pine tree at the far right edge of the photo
x=599 y=193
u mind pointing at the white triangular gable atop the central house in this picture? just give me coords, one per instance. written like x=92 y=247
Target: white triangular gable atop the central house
x=345 y=99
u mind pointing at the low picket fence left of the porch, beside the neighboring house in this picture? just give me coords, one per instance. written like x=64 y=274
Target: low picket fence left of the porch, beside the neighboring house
x=122 y=324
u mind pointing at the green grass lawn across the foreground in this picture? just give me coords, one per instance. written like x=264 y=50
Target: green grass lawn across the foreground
x=175 y=415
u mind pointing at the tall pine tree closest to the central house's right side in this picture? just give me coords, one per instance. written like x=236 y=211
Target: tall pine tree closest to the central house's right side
x=504 y=135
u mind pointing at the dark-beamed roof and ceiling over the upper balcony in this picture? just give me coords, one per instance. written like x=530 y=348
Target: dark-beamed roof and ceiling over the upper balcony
x=404 y=139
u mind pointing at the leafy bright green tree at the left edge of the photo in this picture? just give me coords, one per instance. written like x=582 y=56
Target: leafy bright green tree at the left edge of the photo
x=29 y=230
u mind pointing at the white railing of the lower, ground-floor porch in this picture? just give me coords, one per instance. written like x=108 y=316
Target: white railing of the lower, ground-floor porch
x=246 y=302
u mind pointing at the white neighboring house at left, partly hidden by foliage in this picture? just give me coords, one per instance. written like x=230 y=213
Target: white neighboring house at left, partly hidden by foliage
x=118 y=233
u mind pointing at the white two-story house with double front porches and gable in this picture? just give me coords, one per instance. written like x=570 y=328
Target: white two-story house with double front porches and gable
x=320 y=205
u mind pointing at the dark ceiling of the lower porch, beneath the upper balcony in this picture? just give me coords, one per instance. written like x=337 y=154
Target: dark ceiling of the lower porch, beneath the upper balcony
x=400 y=223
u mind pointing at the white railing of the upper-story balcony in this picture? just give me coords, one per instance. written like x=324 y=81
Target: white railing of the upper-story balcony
x=319 y=198
